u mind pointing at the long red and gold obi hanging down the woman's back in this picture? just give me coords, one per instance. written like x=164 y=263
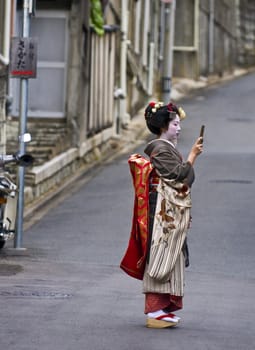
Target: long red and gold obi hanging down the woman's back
x=134 y=260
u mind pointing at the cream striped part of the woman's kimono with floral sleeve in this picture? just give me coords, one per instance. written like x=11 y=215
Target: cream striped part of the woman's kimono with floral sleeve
x=164 y=272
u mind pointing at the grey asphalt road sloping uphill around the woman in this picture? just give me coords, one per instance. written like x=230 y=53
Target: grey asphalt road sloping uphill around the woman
x=66 y=291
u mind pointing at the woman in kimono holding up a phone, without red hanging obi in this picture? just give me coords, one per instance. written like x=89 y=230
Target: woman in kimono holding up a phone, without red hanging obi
x=169 y=215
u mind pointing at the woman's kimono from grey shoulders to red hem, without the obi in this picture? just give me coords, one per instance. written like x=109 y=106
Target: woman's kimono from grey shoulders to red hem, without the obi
x=169 y=211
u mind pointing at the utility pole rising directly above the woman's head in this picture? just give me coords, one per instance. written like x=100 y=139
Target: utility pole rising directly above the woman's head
x=168 y=49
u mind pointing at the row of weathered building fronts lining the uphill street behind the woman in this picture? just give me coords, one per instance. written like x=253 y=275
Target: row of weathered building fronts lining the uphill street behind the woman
x=99 y=62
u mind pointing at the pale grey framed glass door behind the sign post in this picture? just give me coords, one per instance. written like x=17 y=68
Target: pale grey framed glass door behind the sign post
x=46 y=96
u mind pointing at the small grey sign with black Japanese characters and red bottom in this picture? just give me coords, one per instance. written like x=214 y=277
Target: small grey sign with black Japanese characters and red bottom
x=23 y=61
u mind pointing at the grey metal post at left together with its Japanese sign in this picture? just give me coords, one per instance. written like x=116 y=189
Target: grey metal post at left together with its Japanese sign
x=23 y=66
